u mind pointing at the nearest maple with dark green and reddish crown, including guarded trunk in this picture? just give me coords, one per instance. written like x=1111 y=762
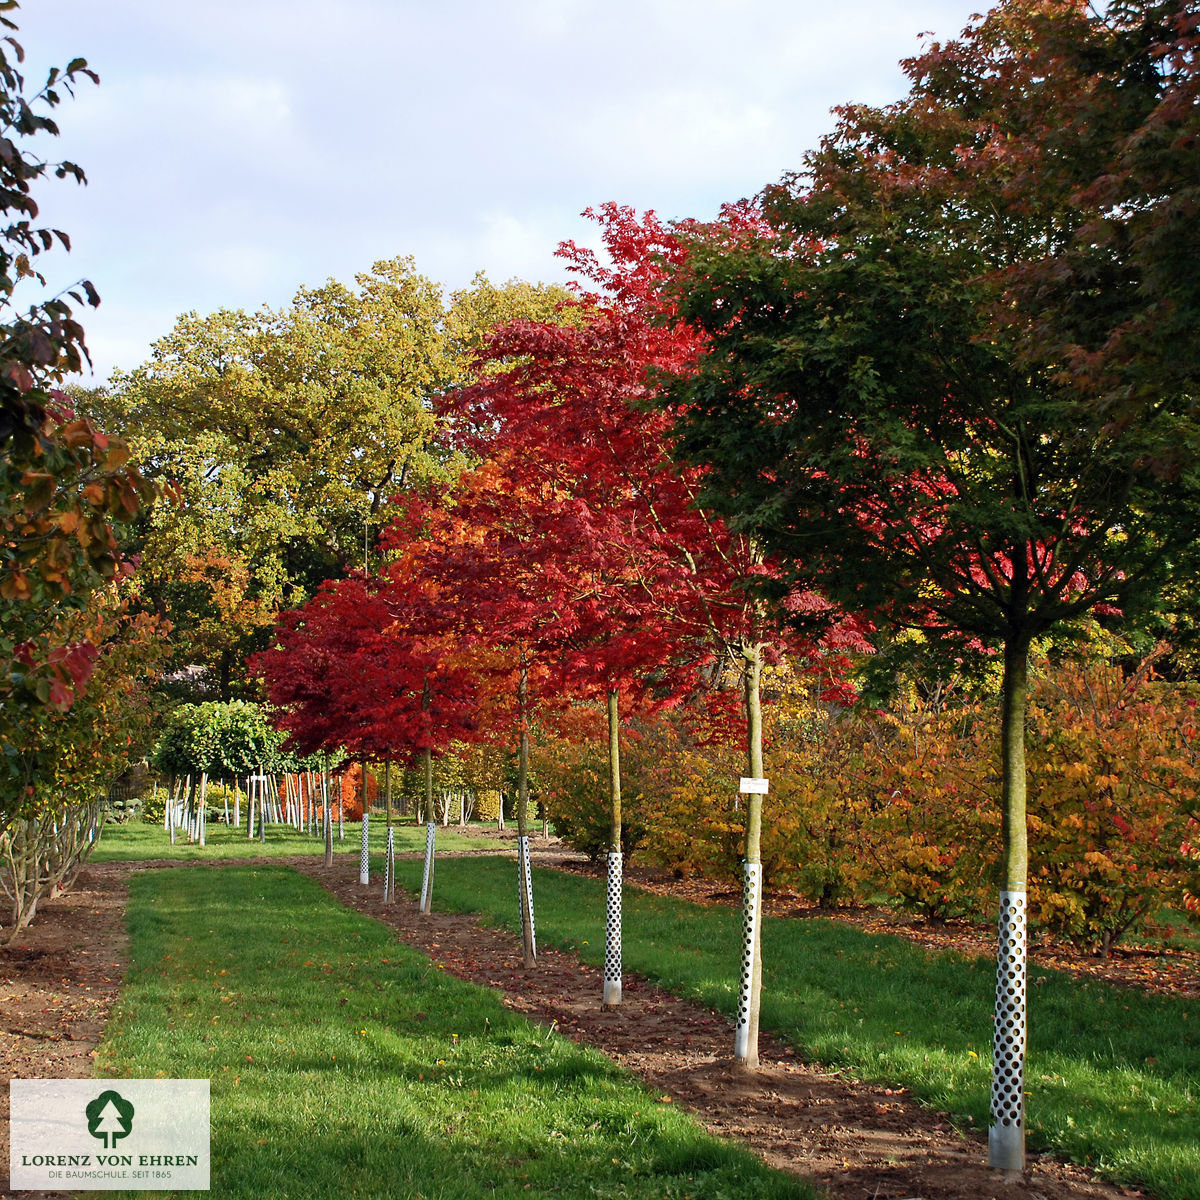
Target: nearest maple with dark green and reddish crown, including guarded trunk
x=949 y=383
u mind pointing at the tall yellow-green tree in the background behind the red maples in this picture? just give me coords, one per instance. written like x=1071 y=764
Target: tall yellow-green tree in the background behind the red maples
x=284 y=435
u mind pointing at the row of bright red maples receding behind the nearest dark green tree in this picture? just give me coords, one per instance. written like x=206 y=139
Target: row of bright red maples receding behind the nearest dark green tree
x=568 y=562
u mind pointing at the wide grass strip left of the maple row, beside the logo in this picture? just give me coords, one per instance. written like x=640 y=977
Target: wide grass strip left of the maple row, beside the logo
x=344 y=1064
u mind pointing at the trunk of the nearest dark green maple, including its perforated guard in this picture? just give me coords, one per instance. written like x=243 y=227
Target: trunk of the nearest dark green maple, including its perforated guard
x=1006 y=1138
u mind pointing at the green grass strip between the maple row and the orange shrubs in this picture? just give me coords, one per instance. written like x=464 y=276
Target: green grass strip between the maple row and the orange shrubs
x=1114 y=1075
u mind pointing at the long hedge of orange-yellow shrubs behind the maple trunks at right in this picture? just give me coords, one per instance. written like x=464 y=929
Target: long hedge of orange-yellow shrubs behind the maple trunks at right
x=898 y=802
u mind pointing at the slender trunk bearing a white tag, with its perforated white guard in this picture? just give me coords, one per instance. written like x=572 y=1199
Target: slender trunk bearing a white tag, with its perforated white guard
x=746 y=1037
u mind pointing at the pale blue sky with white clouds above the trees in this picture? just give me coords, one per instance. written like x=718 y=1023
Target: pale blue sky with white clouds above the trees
x=238 y=149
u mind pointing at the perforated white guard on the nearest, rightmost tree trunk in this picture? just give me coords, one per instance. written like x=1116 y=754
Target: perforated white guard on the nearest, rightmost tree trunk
x=1006 y=1138
